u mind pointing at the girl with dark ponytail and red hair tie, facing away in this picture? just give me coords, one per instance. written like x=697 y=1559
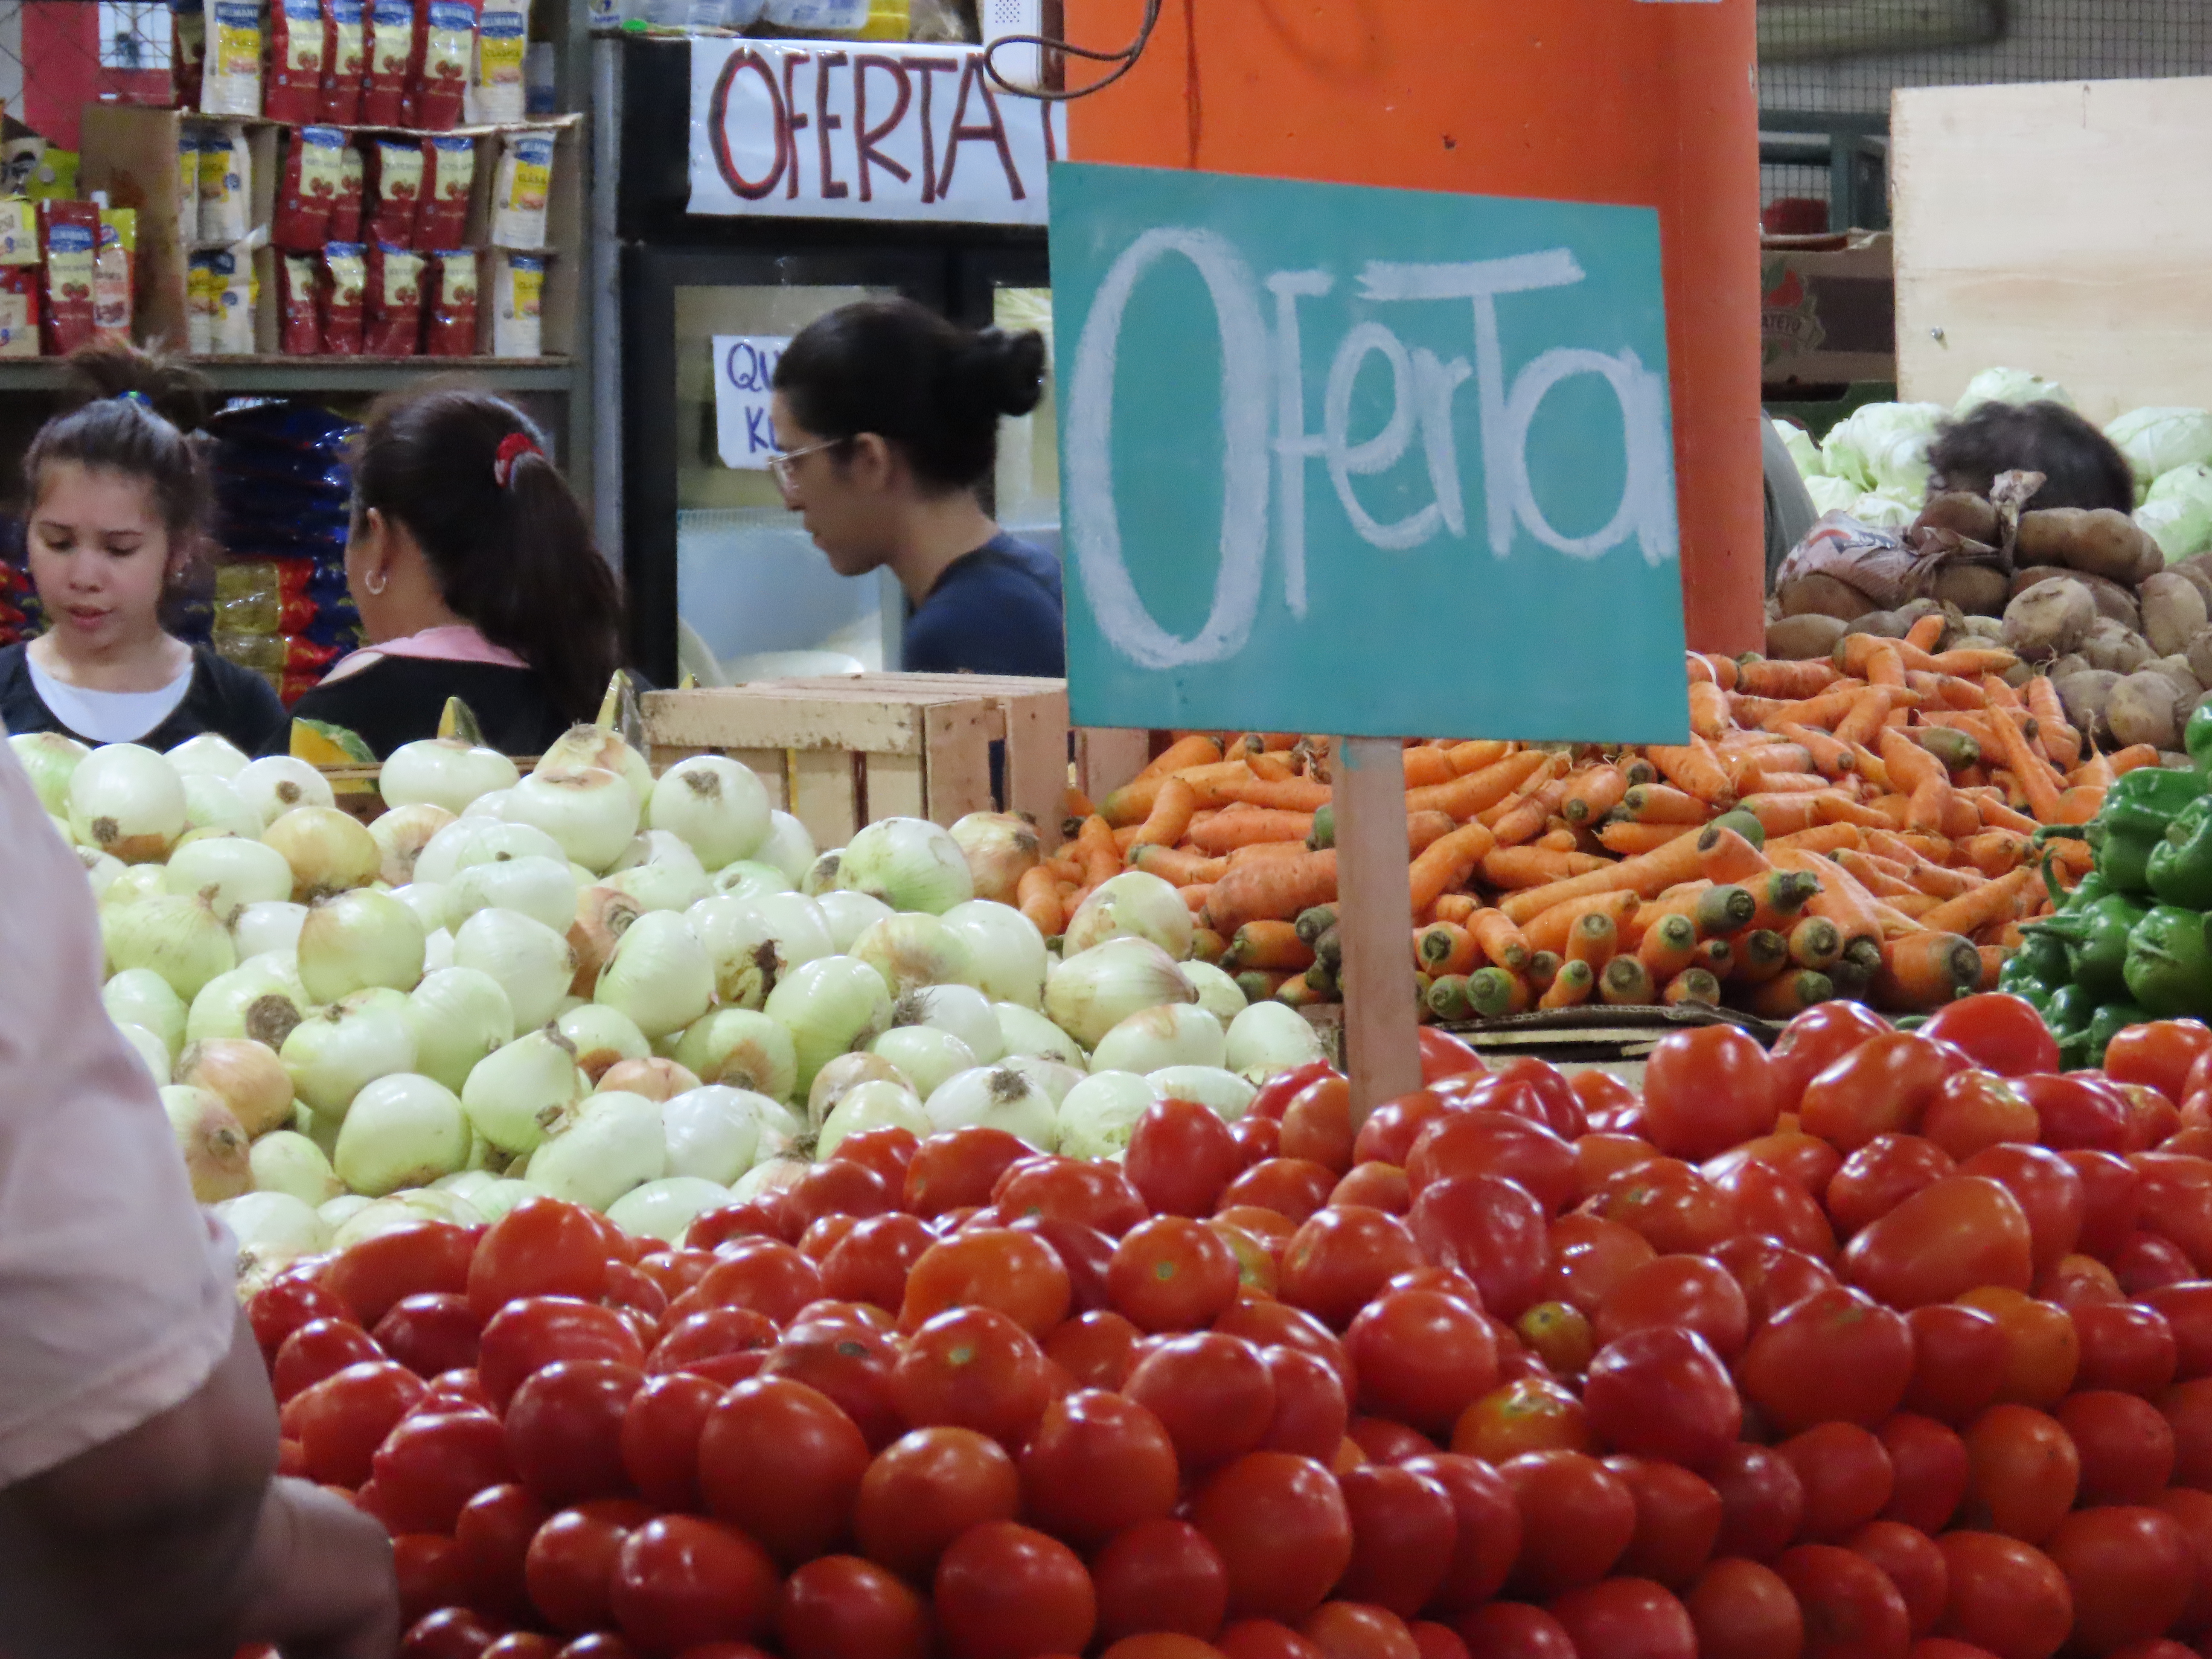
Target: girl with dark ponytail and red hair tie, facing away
x=477 y=578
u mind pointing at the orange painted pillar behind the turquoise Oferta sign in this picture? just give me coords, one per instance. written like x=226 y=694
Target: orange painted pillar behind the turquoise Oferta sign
x=1647 y=103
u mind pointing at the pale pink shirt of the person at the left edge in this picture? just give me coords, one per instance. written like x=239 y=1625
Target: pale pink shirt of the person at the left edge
x=116 y=1291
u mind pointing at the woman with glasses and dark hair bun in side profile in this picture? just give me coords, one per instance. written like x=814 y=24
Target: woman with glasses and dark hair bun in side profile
x=888 y=421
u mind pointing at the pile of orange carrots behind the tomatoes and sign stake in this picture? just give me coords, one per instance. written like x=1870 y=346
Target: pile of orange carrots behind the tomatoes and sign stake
x=1833 y=828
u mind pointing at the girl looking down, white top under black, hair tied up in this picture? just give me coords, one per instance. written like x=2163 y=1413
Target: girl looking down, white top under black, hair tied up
x=116 y=523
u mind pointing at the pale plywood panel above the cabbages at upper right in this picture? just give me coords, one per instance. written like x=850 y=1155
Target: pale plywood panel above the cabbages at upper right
x=2063 y=229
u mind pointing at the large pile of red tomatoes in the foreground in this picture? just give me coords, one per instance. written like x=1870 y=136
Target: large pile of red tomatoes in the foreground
x=1884 y=1346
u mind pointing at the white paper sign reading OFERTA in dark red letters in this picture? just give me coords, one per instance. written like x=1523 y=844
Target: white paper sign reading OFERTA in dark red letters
x=820 y=132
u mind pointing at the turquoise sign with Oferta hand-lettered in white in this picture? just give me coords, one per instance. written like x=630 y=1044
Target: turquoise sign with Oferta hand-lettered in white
x=1364 y=461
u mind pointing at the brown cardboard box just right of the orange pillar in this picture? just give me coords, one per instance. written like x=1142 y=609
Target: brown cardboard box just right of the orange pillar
x=1828 y=311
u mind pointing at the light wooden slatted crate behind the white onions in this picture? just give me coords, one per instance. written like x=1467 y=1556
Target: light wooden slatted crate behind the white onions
x=842 y=753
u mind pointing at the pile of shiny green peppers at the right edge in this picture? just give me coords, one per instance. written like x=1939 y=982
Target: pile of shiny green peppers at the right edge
x=2131 y=941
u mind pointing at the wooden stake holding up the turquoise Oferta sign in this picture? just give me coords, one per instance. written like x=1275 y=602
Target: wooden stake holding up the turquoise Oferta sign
x=1375 y=906
